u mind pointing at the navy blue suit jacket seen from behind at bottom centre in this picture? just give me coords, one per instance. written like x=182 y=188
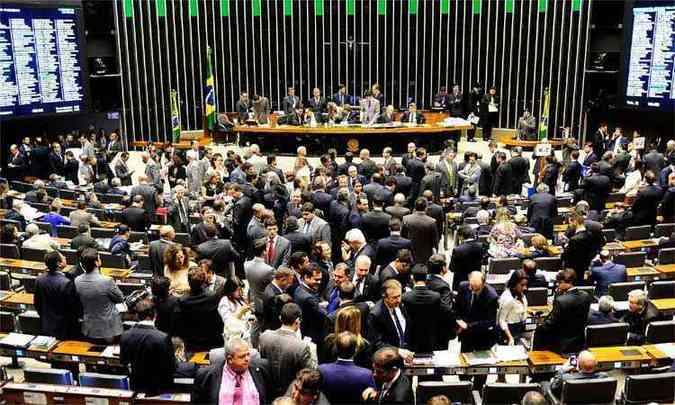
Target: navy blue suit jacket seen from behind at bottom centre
x=343 y=381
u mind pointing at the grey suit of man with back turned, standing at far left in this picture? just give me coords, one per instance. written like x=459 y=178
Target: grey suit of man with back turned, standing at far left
x=98 y=295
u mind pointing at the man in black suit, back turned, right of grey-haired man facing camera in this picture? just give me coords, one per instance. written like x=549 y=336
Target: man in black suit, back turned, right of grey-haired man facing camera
x=423 y=304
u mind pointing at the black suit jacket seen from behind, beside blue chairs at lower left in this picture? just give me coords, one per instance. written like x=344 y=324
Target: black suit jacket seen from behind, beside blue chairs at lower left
x=150 y=353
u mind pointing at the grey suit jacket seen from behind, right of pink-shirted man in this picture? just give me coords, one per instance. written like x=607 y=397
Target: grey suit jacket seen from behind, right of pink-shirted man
x=286 y=354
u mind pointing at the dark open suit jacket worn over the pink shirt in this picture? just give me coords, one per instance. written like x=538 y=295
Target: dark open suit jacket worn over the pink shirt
x=206 y=388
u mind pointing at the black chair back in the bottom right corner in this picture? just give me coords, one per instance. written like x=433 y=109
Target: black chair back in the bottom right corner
x=647 y=388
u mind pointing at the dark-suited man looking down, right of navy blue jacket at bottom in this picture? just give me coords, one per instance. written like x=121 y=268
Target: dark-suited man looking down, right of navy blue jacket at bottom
x=393 y=386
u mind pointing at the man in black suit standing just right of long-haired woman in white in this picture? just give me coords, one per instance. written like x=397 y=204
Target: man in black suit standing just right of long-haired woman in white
x=563 y=329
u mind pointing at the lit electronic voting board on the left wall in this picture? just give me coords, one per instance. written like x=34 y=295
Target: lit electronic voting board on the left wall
x=41 y=68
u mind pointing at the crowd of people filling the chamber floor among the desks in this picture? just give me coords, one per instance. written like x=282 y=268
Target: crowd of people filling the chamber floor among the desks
x=321 y=283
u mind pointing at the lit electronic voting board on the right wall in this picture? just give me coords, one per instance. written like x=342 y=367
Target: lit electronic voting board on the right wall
x=649 y=62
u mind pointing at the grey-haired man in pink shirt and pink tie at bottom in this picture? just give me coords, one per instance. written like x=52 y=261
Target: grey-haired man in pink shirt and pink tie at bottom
x=245 y=377
